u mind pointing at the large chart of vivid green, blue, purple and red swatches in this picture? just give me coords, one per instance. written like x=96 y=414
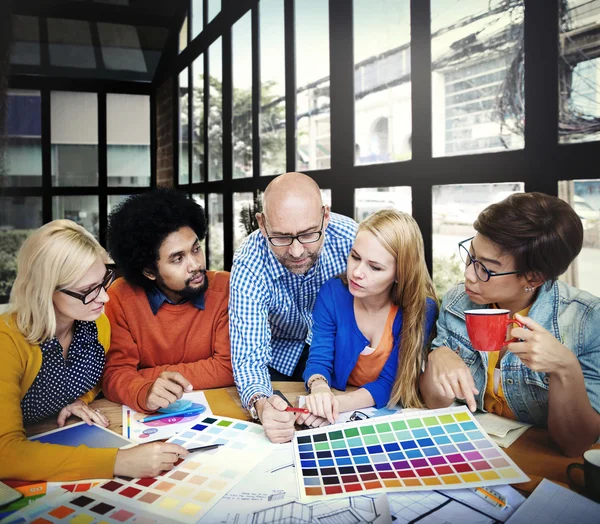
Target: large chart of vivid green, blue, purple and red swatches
x=434 y=449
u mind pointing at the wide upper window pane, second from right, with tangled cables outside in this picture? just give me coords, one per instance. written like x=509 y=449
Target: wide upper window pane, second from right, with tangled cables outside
x=478 y=100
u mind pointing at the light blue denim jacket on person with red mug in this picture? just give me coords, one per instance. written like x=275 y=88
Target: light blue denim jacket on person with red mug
x=571 y=315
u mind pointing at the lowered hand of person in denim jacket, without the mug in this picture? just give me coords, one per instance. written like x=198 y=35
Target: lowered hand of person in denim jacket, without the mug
x=451 y=376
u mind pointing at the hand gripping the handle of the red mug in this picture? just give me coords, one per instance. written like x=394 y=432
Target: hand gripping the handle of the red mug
x=539 y=350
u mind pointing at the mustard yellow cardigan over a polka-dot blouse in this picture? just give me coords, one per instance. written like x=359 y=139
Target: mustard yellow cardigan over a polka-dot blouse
x=20 y=362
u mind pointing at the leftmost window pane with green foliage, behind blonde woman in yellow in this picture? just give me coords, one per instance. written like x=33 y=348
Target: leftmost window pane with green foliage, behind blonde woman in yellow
x=18 y=217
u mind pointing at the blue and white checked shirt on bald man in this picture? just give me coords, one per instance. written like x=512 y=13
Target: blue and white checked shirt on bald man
x=270 y=308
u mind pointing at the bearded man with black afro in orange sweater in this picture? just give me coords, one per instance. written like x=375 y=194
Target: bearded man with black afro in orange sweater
x=168 y=315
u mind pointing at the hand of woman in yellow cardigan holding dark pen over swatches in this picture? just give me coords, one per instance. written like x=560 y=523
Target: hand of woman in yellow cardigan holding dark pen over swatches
x=148 y=460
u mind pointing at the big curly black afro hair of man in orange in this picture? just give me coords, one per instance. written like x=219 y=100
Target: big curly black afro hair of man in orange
x=138 y=226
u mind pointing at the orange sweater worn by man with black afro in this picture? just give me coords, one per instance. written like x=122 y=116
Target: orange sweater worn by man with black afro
x=180 y=338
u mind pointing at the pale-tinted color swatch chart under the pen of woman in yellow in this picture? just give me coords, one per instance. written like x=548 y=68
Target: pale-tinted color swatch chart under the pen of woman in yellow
x=189 y=490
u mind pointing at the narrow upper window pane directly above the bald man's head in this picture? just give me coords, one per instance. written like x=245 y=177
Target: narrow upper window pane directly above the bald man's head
x=312 y=85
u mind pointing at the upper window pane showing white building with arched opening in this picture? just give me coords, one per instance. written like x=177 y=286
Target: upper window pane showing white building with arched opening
x=382 y=85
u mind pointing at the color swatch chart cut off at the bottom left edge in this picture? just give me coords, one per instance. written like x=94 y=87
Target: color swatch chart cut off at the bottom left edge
x=91 y=508
